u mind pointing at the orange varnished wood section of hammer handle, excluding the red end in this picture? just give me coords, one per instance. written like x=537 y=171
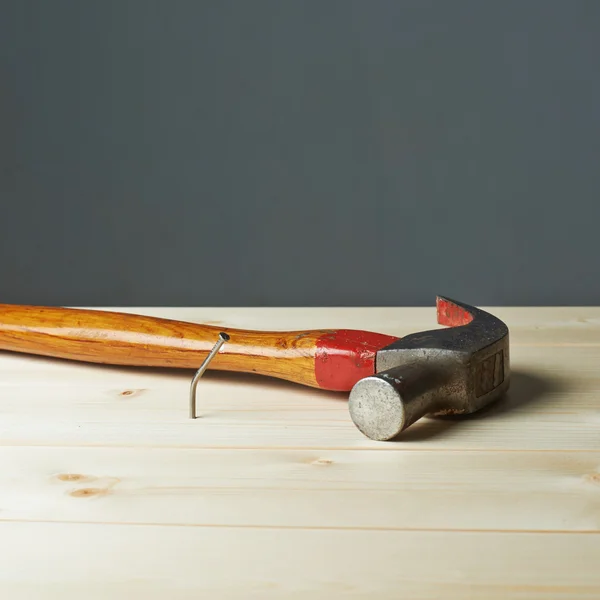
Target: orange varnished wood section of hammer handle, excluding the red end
x=116 y=338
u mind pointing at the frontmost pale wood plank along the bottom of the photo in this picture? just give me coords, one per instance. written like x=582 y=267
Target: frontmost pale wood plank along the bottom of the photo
x=59 y=561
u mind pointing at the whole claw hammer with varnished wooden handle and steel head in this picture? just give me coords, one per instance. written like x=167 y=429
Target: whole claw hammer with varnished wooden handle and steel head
x=392 y=382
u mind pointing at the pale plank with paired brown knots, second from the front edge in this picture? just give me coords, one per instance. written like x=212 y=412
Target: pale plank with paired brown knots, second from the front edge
x=333 y=489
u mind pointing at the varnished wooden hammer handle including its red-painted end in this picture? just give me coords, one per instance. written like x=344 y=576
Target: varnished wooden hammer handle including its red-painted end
x=327 y=359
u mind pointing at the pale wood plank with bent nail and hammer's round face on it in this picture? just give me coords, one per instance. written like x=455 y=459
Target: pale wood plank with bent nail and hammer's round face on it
x=552 y=405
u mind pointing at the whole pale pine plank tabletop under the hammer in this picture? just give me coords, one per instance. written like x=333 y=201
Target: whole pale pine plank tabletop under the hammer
x=109 y=490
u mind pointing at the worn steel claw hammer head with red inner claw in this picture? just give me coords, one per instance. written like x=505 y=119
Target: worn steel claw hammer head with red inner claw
x=458 y=370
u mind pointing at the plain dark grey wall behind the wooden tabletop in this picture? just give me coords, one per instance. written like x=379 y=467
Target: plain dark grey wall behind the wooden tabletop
x=280 y=152
